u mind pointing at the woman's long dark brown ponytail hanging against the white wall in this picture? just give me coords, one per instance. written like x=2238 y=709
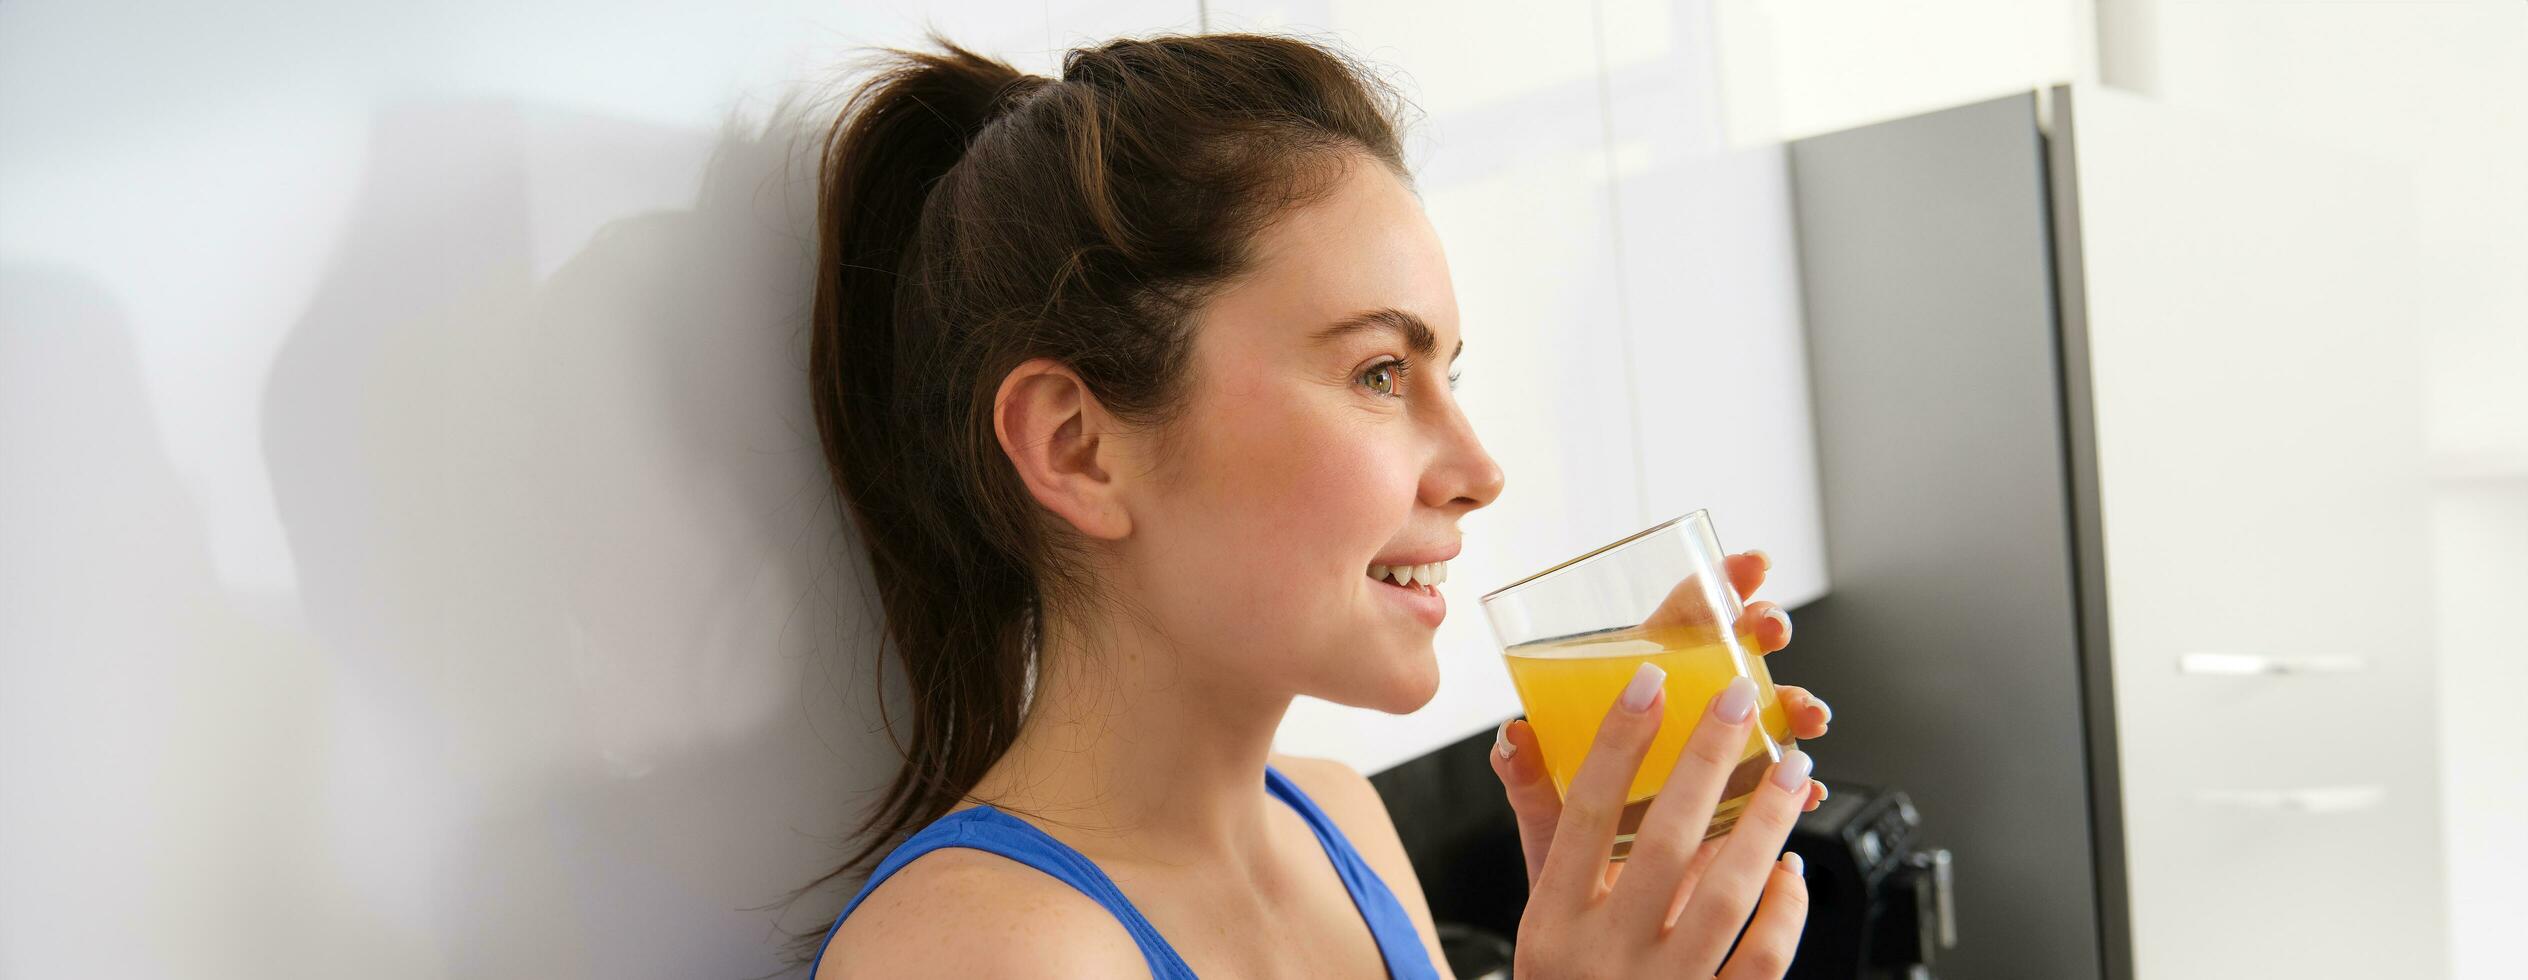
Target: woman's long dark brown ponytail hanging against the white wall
x=952 y=600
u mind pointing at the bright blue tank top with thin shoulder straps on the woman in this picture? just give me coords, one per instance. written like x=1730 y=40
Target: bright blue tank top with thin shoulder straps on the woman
x=990 y=830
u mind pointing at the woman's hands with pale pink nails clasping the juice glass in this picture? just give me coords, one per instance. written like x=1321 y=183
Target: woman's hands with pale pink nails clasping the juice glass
x=1591 y=911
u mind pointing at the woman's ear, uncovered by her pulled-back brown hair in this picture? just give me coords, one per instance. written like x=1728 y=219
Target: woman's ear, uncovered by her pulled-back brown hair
x=1066 y=446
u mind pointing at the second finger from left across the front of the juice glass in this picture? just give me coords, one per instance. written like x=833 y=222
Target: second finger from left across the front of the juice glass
x=1675 y=827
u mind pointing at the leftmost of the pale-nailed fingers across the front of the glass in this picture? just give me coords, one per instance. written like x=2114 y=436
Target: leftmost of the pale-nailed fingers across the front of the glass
x=1594 y=802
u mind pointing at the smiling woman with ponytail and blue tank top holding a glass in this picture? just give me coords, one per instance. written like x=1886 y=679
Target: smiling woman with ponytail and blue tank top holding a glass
x=1131 y=380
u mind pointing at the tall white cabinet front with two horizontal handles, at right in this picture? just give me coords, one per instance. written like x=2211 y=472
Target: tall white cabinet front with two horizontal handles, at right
x=2259 y=418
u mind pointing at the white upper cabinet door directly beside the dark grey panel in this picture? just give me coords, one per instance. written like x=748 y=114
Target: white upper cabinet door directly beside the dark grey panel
x=1710 y=302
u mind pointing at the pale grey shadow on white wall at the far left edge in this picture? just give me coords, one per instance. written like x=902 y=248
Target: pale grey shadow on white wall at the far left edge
x=148 y=724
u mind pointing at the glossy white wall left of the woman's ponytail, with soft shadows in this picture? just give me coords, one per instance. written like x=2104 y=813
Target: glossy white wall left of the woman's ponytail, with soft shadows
x=413 y=547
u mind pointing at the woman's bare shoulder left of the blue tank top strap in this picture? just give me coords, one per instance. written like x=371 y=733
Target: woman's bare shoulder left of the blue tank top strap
x=962 y=913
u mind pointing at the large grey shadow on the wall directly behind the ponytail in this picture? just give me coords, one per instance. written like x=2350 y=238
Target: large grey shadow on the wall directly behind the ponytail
x=598 y=638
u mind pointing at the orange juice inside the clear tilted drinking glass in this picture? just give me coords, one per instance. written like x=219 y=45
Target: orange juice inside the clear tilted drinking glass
x=1569 y=686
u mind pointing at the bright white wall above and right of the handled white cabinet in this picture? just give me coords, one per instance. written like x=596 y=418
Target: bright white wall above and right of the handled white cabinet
x=2443 y=90
